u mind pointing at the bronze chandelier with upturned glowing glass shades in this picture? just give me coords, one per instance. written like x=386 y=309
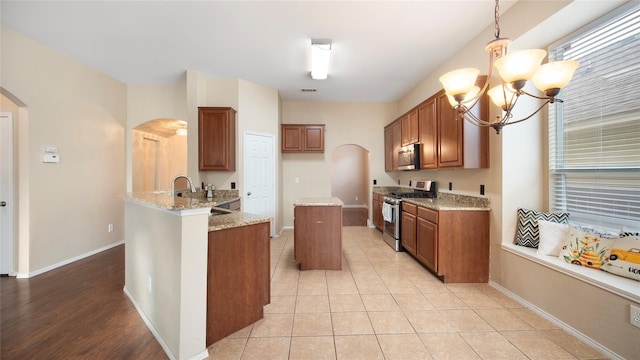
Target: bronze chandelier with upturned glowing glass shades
x=515 y=70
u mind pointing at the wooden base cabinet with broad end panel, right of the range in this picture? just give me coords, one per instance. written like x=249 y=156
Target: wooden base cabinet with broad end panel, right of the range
x=454 y=244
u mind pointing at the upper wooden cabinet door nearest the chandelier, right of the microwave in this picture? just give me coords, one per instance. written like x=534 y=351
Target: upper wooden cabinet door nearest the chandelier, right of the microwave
x=450 y=139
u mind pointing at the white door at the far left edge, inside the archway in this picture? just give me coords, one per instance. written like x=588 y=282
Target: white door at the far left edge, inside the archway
x=6 y=192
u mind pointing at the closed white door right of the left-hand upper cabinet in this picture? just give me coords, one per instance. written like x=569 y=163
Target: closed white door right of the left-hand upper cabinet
x=259 y=176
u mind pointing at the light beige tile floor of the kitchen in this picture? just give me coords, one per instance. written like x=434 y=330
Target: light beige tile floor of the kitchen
x=385 y=305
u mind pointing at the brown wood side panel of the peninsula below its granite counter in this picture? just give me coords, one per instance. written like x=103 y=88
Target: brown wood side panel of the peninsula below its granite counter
x=238 y=278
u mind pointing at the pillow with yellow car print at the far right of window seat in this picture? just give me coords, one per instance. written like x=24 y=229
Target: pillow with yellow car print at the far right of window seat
x=624 y=258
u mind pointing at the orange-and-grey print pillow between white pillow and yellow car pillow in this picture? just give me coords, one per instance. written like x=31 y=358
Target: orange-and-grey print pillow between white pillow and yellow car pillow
x=585 y=248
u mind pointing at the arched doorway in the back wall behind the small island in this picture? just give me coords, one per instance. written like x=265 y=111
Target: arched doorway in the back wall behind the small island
x=349 y=182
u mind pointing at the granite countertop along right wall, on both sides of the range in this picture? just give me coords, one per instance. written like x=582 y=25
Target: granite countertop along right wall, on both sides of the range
x=444 y=201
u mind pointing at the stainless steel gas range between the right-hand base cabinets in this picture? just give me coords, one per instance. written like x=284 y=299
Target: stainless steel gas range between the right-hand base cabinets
x=392 y=208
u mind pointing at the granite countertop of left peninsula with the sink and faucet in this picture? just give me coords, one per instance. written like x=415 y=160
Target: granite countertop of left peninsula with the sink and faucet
x=220 y=218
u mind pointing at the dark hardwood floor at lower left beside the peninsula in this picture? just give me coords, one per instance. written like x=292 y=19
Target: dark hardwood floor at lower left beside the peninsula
x=78 y=311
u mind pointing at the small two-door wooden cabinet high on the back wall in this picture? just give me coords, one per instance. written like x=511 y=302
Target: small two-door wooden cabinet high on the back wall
x=302 y=138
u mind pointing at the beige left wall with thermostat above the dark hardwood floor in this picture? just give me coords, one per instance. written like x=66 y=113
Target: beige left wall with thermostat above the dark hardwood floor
x=83 y=113
